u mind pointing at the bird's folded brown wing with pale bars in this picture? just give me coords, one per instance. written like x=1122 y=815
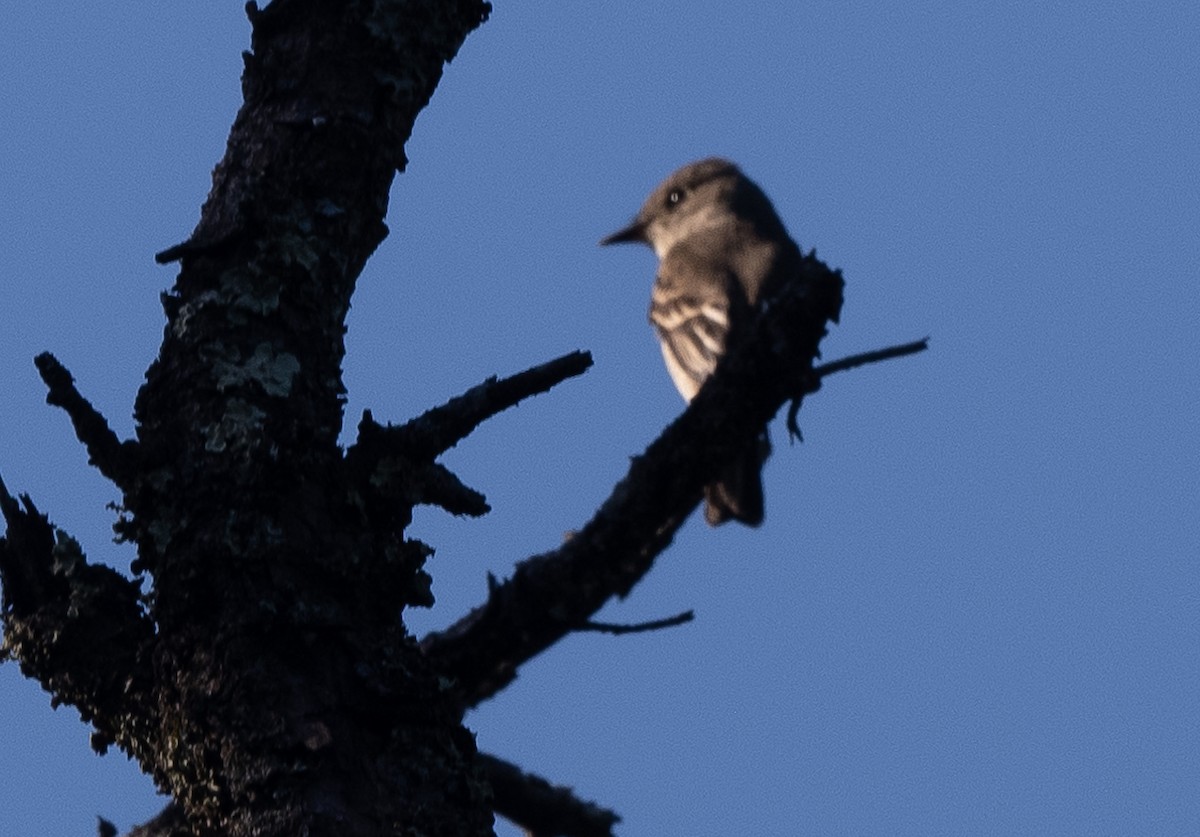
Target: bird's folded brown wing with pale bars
x=692 y=309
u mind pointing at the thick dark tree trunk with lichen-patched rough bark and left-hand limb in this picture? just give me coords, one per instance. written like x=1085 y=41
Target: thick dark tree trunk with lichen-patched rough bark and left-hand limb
x=271 y=685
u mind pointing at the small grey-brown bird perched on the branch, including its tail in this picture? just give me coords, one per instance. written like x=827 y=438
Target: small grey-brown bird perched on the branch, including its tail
x=719 y=243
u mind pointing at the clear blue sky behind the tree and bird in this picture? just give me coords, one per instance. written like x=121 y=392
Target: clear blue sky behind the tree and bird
x=975 y=605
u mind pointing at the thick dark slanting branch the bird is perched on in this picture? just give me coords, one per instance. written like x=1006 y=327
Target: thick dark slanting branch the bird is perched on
x=559 y=592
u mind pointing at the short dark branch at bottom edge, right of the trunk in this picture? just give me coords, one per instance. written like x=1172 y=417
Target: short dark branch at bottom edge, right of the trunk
x=541 y=808
